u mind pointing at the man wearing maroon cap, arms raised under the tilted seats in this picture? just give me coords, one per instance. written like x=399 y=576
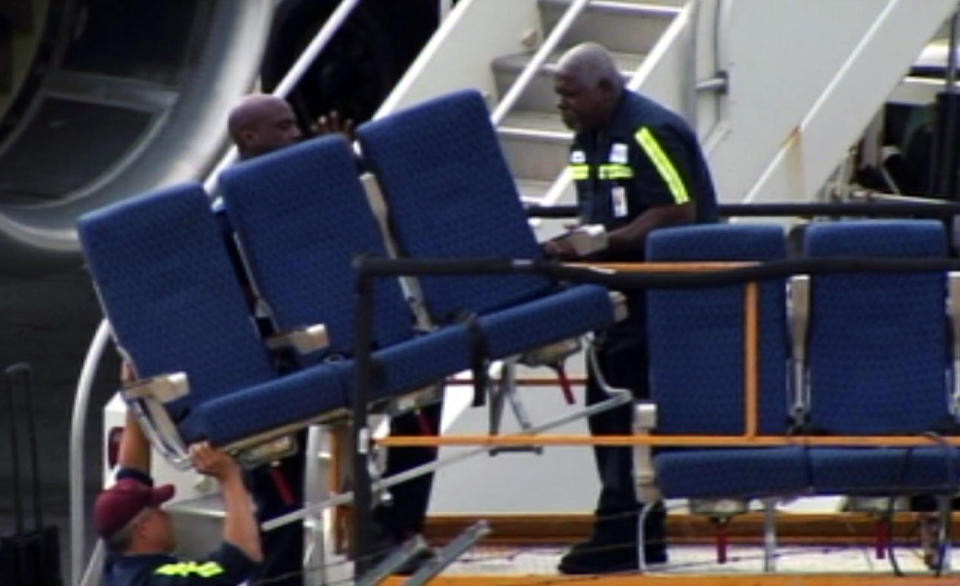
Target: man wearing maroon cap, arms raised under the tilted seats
x=139 y=534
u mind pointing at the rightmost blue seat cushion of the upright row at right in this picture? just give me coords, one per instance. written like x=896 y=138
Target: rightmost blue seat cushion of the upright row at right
x=878 y=471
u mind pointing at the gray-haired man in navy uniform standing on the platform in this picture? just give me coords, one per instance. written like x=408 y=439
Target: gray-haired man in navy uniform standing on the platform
x=637 y=167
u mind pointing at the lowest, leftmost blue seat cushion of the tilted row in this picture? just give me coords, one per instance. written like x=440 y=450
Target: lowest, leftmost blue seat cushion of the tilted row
x=293 y=398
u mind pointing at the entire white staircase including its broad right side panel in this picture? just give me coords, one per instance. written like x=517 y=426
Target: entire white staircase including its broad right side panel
x=803 y=78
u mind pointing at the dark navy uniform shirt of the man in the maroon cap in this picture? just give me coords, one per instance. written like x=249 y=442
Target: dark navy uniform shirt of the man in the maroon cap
x=227 y=566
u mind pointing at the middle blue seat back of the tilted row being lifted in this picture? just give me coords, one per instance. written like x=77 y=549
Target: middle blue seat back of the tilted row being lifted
x=302 y=216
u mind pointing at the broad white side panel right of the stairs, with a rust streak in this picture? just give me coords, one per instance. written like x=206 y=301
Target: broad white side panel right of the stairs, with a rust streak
x=781 y=62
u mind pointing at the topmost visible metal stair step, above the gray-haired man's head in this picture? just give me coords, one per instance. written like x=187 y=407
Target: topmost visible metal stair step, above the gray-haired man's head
x=625 y=27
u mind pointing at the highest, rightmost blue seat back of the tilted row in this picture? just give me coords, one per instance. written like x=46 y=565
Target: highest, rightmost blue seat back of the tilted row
x=451 y=195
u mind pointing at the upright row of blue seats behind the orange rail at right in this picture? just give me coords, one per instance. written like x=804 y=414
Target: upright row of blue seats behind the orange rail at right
x=877 y=352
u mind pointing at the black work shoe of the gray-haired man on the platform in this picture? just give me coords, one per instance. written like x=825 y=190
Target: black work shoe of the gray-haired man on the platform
x=602 y=555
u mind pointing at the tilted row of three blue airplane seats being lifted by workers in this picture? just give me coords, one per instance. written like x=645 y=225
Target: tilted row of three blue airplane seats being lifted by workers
x=176 y=305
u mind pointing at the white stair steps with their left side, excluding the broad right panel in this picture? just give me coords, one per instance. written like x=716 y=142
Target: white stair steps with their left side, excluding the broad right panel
x=471 y=51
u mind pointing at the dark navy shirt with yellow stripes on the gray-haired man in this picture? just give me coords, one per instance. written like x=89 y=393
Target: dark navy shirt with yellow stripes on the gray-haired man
x=648 y=156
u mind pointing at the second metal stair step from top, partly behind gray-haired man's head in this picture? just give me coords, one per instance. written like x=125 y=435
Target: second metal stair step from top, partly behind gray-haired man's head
x=539 y=93
